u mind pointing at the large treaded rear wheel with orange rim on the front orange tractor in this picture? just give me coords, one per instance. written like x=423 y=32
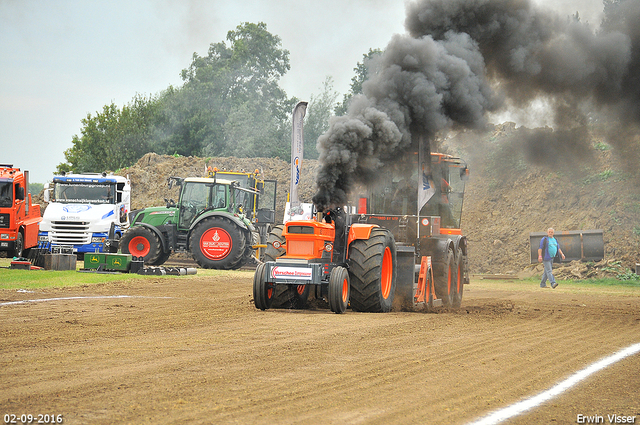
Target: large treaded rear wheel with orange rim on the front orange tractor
x=373 y=272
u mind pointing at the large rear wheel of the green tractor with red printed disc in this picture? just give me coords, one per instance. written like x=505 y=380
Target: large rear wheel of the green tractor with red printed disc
x=217 y=243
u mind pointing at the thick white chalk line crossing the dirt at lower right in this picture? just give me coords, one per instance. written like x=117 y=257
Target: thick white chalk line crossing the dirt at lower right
x=523 y=406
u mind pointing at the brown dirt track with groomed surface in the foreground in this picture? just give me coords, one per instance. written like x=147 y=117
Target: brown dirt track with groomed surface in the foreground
x=195 y=350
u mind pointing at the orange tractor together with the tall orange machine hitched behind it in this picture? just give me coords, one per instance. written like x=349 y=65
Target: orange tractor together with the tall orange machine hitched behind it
x=399 y=246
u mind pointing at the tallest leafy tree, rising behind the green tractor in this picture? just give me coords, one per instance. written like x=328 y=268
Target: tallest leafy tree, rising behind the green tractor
x=231 y=93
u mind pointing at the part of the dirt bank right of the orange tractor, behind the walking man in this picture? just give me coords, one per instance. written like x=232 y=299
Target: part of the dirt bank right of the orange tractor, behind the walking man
x=507 y=198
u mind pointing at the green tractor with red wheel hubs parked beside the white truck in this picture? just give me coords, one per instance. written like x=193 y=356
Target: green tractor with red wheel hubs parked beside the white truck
x=214 y=220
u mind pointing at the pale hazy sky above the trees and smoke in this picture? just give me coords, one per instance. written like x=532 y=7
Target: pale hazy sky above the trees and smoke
x=61 y=60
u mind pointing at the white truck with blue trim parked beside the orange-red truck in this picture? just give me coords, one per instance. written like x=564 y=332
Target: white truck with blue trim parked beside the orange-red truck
x=82 y=208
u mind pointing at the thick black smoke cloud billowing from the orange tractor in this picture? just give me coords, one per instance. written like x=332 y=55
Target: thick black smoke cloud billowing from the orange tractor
x=464 y=58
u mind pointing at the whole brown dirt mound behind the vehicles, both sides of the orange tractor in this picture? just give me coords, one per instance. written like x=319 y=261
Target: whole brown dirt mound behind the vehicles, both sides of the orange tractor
x=506 y=198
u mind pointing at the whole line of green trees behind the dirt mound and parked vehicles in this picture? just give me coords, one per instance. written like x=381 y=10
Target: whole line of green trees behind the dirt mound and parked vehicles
x=229 y=104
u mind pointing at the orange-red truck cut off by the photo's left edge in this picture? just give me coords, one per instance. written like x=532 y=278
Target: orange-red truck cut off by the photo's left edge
x=19 y=218
